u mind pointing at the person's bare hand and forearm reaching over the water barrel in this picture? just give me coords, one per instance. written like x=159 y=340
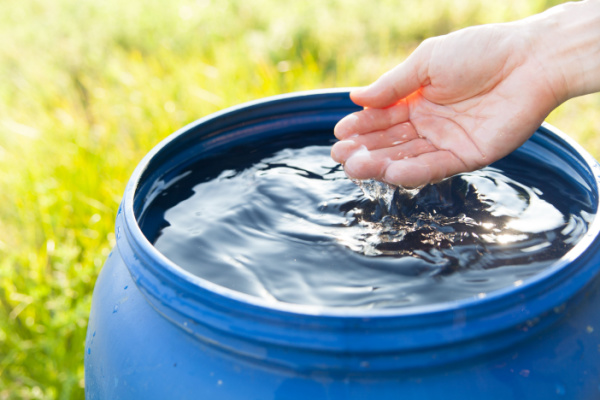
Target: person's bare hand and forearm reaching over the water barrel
x=464 y=100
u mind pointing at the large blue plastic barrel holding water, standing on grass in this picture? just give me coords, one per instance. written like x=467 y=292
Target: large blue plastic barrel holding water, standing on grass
x=158 y=332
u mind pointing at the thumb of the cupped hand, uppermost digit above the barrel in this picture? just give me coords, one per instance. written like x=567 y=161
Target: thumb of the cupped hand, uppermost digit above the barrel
x=397 y=83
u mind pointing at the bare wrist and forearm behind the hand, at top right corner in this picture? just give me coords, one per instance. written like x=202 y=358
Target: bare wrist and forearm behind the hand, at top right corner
x=566 y=40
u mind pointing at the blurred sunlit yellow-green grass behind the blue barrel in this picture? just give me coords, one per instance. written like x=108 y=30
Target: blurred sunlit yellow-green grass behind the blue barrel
x=88 y=87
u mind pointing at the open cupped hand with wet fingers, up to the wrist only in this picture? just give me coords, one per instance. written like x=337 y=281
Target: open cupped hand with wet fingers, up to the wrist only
x=457 y=114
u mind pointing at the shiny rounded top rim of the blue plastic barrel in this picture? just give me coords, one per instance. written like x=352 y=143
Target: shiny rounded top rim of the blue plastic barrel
x=194 y=285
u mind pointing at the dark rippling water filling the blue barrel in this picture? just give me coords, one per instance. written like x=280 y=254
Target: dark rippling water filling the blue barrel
x=293 y=228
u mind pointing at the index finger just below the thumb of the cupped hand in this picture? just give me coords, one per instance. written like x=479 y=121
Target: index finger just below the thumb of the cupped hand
x=371 y=120
